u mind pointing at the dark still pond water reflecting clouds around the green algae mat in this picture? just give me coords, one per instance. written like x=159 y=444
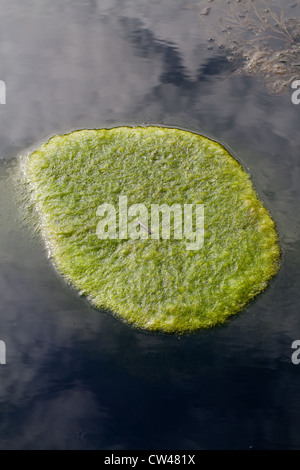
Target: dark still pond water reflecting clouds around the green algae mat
x=78 y=378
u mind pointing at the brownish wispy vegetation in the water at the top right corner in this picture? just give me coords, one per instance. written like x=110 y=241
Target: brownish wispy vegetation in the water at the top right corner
x=263 y=39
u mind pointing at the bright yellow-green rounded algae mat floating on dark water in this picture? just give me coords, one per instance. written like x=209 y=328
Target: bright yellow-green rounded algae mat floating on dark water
x=156 y=285
